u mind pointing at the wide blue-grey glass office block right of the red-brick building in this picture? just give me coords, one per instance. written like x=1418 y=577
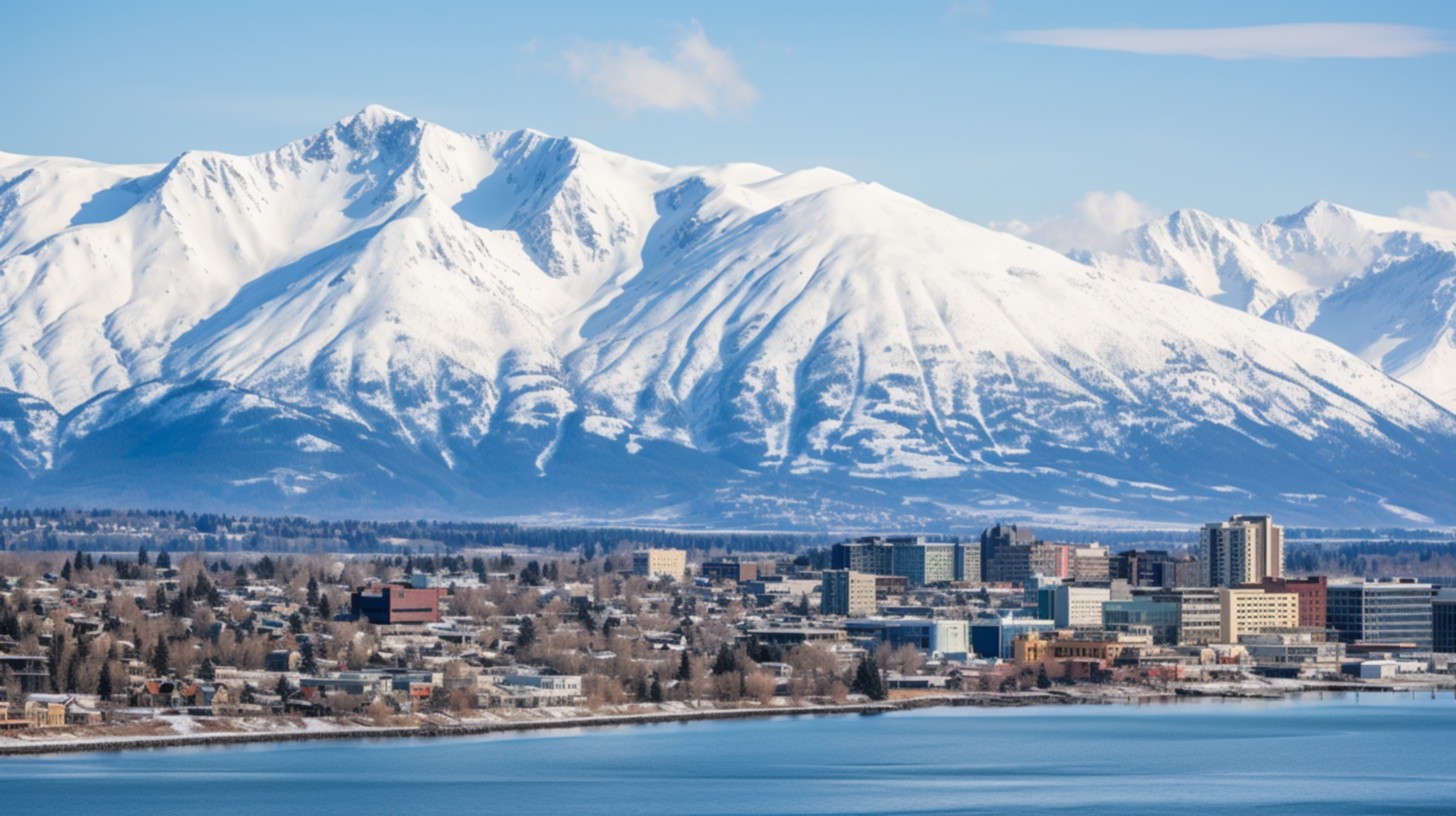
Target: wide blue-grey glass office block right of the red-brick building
x=1382 y=613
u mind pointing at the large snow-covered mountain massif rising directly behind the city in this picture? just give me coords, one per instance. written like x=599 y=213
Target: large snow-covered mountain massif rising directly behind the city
x=392 y=318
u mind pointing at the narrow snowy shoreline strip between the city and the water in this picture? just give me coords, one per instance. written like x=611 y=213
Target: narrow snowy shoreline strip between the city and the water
x=433 y=731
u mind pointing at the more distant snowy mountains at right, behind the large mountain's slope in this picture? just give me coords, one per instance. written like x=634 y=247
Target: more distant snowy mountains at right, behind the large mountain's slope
x=1384 y=289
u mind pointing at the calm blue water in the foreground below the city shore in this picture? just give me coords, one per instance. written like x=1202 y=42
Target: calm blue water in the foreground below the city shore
x=1382 y=754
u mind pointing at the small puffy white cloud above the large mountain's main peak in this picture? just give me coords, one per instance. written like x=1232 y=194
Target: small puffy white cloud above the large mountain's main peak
x=700 y=76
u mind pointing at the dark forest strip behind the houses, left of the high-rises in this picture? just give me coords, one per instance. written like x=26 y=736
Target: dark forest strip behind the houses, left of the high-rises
x=114 y=531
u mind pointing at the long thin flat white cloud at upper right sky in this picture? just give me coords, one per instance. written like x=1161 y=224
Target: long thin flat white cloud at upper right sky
x=1292 y=42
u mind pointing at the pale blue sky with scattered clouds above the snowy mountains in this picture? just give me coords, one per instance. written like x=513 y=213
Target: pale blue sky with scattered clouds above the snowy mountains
x=985 y=109
